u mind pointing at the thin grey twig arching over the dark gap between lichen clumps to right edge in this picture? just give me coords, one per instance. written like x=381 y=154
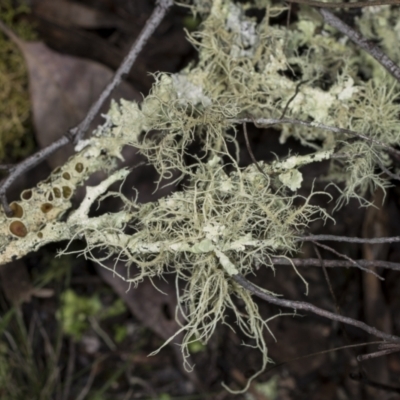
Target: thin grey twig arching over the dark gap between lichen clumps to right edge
x=263 y=122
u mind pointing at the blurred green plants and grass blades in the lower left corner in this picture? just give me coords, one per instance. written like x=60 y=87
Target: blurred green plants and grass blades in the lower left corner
x=36 y=356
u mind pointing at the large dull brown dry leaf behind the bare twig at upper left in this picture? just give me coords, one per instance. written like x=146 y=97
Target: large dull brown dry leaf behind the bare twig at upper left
x=62 y=89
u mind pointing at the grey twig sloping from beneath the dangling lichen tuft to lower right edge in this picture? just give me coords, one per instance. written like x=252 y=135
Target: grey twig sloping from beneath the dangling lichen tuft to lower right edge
x=301 y=305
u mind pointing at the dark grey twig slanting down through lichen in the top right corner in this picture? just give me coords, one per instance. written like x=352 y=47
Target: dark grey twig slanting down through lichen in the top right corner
x=362 y=42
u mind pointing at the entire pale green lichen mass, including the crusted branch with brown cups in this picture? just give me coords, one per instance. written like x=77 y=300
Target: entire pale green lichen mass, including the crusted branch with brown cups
x=221 y=223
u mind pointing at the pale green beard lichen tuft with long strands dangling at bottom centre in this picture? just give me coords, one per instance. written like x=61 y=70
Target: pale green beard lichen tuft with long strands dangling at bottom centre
x=218 y=226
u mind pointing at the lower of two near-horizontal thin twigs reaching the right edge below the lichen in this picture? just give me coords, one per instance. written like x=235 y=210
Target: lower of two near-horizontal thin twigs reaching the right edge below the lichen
x=314 y=262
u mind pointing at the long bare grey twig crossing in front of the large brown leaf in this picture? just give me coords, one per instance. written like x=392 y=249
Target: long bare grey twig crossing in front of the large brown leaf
x=75 y=134
